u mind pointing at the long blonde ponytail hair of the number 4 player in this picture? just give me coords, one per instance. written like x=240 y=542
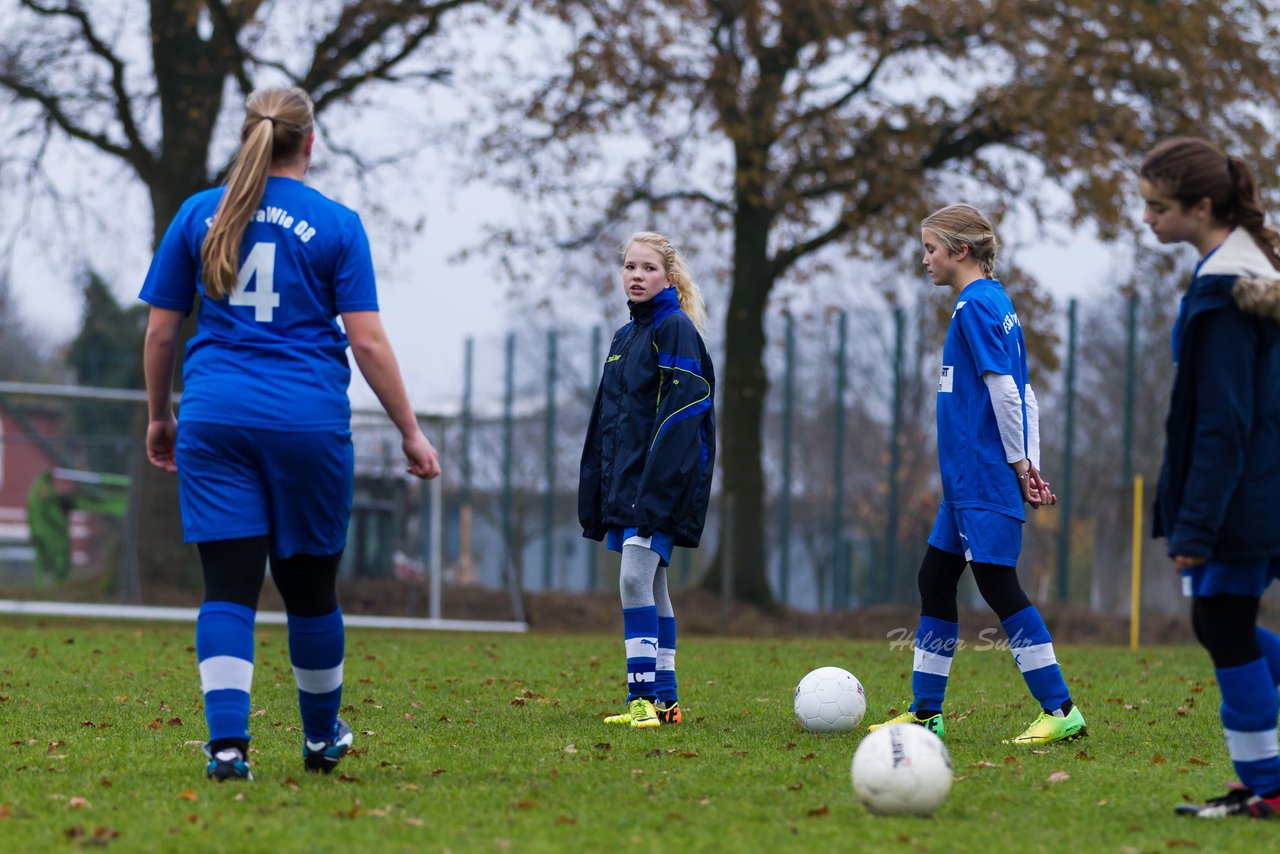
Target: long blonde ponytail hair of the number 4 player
x=277 y=124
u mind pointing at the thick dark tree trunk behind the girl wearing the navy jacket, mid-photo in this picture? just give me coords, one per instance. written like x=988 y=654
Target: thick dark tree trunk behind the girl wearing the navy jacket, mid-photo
x=744 y=386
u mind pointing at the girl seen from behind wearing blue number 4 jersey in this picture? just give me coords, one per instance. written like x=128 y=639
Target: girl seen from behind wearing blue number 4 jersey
x=263 y=447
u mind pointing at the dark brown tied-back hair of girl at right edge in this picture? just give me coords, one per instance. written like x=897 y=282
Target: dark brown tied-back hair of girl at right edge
x=1190 y=170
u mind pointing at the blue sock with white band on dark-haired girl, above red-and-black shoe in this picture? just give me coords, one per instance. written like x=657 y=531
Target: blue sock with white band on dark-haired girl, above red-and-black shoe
x=1249 y=714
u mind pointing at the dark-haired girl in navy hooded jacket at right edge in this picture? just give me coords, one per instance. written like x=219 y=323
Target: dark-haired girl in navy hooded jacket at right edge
x=1217 y=499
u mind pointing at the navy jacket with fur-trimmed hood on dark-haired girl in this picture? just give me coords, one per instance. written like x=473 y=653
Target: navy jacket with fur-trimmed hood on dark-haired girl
x=1222 y=472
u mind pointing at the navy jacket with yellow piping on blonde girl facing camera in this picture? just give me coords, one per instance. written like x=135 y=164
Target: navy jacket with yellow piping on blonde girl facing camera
x=651 y=447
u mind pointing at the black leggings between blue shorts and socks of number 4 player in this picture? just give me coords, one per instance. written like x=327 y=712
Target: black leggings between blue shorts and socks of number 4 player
x=235 y=570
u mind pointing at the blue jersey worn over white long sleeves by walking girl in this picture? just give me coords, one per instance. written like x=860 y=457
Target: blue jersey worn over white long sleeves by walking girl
x=984 y=337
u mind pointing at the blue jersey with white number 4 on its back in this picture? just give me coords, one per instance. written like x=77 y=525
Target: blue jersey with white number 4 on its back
x=272 y=355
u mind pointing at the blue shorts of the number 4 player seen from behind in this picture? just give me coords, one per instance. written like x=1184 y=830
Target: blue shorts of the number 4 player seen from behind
x=245 y=482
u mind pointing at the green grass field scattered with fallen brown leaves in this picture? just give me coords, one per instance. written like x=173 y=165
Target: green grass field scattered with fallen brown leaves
x=495 y=743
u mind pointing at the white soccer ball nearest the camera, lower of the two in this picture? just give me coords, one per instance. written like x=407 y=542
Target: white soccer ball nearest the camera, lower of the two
x=902 y=770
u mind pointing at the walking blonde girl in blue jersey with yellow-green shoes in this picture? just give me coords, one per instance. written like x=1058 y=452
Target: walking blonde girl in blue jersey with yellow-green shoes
x=989 y=451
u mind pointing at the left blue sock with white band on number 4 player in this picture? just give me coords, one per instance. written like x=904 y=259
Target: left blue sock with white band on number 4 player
x=225 y=649
